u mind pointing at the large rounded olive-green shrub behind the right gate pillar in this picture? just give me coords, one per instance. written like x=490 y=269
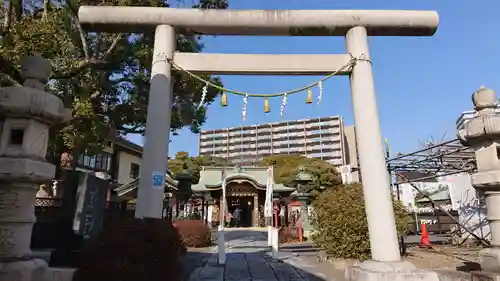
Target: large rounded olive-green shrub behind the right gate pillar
x=340 y=222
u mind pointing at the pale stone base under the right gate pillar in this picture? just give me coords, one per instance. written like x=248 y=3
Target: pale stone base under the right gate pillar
x=384 y=271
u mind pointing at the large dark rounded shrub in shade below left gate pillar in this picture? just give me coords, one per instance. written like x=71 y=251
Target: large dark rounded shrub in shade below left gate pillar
x=131 y=250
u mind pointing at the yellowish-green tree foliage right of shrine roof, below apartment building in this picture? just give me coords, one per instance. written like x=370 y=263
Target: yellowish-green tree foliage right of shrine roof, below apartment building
x=324 y=174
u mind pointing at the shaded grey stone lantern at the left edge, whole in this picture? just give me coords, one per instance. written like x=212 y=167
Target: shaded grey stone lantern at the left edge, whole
x=26 y=114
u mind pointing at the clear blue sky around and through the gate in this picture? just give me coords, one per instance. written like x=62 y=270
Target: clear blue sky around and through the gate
x=422 y=83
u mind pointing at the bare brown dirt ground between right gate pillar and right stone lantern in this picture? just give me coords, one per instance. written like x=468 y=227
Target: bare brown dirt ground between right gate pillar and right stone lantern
x=445 y=257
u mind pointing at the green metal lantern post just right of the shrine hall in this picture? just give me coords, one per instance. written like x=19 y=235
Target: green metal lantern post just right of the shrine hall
x=302 y=179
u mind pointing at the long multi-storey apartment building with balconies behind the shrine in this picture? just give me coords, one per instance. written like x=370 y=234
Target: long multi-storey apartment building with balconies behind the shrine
x=321 y=138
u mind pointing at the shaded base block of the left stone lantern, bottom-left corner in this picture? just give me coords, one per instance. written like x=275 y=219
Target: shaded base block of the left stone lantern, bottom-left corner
x=30 y=270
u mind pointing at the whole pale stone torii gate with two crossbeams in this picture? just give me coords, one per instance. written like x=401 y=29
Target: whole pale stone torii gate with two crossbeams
x=355 y=25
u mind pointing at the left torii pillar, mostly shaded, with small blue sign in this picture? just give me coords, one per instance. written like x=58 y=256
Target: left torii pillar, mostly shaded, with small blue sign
x=151 y=190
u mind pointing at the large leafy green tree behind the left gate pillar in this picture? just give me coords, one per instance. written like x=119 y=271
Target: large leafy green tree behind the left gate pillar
x=103 y=77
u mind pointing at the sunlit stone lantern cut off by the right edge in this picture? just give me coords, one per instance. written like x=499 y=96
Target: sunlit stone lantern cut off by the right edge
x=483 y=133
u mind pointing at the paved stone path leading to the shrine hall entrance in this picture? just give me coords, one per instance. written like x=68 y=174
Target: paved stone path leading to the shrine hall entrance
x=248 y=259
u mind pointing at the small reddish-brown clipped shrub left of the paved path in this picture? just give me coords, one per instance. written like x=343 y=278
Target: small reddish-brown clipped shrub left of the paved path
x=194 y=233
